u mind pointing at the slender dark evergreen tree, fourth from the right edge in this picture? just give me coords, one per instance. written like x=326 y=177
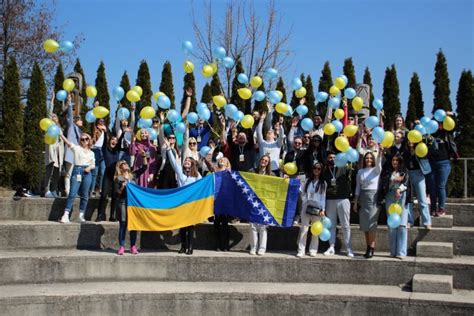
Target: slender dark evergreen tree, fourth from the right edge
x=391 y=99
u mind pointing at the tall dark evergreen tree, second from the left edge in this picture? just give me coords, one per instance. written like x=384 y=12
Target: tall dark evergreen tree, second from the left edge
x=33 y=144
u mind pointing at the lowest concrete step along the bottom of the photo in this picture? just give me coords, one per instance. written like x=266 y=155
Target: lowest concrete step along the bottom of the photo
x=223 y=298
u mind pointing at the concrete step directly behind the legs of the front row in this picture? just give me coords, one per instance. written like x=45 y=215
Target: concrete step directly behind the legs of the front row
x=91 y=235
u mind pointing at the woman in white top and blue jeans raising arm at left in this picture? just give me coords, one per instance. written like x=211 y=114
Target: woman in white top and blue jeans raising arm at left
x=81 y=177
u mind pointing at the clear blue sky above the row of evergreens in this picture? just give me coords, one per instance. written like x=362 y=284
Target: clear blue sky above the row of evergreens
x=374 y=33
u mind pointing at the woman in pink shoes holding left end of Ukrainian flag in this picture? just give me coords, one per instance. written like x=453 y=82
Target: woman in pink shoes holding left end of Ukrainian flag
x=122 y=177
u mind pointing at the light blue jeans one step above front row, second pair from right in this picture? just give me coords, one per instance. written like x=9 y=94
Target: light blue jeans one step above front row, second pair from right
x=418 y=185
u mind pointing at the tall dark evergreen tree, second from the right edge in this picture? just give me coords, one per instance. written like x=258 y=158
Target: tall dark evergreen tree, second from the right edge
x=441 y=83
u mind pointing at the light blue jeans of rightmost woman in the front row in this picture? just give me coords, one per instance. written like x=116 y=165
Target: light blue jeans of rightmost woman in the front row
x=398 y=236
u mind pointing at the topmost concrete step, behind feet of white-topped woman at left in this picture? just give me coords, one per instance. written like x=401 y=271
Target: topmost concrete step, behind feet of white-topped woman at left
x=39 y=209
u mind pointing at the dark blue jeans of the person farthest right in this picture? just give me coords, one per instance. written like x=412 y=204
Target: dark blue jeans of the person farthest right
x=439 y=177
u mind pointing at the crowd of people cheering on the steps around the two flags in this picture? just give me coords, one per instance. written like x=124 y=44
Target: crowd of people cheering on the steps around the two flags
x=107 y=160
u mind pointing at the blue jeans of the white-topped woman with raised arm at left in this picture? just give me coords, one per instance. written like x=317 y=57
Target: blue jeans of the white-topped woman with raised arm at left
x=81 y=187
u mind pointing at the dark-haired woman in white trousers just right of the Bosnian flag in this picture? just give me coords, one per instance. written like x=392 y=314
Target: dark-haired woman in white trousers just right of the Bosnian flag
x=313 y=205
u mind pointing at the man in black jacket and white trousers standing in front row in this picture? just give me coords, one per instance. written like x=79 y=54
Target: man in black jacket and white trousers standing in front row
x=338 y=206
